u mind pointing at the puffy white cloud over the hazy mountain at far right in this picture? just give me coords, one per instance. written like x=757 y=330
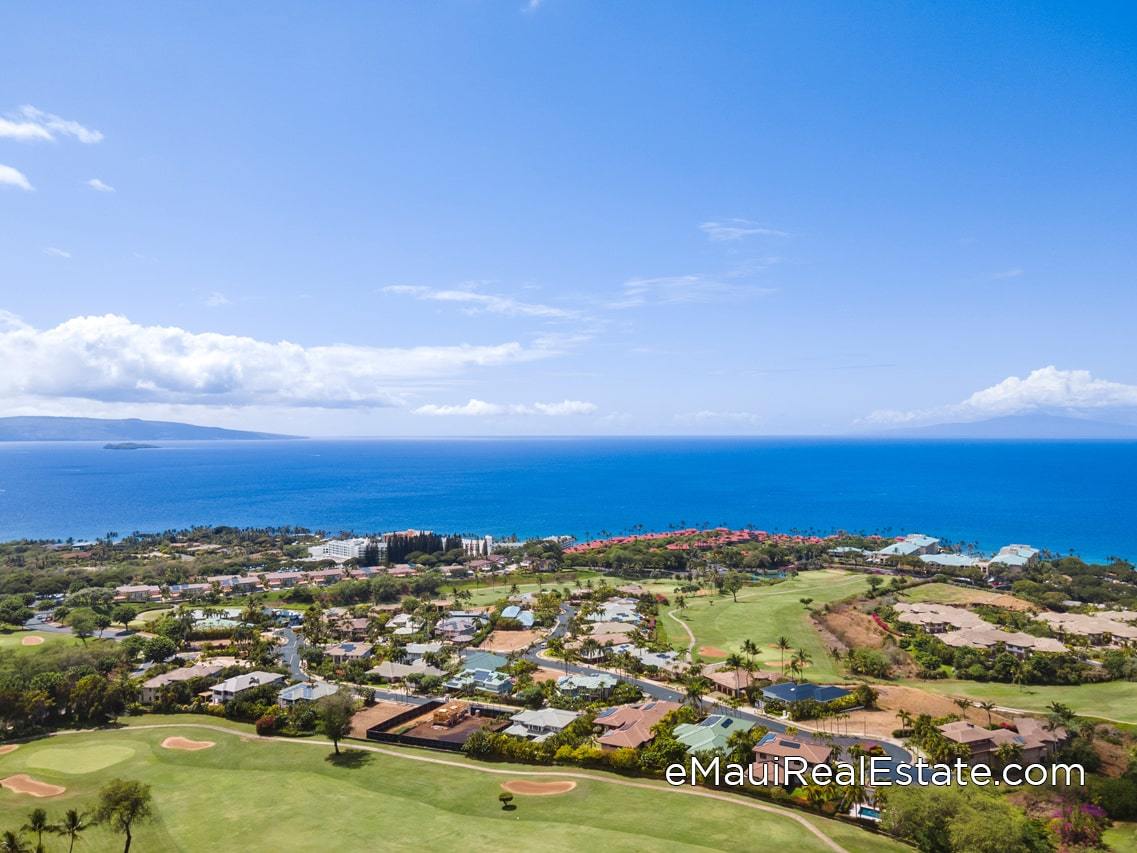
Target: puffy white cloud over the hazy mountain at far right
x=1048 y=390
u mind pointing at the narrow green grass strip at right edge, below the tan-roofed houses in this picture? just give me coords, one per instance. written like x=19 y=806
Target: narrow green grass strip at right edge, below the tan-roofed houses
x=1111 y=700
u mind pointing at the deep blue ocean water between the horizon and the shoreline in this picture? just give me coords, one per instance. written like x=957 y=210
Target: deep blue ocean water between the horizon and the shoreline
x=1059 y=495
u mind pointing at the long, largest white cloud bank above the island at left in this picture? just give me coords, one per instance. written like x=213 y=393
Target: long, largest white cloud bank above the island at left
x=112 y=360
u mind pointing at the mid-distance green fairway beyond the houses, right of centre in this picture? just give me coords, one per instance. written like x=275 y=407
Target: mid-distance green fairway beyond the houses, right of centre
x=763 y=615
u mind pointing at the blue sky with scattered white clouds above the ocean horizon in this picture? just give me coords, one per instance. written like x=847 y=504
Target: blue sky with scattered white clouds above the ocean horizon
x=568 y=218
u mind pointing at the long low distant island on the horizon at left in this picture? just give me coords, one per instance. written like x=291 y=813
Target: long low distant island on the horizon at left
x=128 y=430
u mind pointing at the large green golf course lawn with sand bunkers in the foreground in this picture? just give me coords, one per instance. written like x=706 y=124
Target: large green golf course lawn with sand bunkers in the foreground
x=248 y=794
